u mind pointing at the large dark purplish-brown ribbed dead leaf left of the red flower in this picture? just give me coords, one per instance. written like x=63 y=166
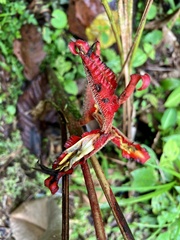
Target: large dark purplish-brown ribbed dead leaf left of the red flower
x=36 y=117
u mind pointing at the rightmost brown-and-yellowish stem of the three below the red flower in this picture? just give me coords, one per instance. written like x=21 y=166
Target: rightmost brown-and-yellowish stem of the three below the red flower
x=125 y=230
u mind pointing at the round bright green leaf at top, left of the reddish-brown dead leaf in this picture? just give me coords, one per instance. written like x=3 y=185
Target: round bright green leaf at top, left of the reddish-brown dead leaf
x=59 y=19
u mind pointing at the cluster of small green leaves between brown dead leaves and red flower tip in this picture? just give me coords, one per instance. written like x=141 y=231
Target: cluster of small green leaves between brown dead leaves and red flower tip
x=57 y=50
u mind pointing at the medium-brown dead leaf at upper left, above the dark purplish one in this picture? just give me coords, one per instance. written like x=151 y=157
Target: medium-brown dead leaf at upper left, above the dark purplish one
x=29 y=50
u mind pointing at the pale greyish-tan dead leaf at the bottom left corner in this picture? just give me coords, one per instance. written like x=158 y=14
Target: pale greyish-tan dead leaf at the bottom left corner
x=37 y=219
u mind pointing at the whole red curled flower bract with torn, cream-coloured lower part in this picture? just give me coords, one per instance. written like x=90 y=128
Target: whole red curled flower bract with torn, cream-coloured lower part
x=100 y=103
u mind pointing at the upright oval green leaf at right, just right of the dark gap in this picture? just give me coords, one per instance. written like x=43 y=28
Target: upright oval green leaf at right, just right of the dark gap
x=169 y=118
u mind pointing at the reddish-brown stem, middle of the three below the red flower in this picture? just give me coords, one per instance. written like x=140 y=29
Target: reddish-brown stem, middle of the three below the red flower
x=95 y=209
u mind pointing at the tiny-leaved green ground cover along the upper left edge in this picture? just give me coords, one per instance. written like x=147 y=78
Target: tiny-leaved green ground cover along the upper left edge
x=13 y=15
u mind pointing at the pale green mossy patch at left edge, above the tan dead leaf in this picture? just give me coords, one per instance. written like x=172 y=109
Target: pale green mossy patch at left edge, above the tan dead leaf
x=16 y=182
